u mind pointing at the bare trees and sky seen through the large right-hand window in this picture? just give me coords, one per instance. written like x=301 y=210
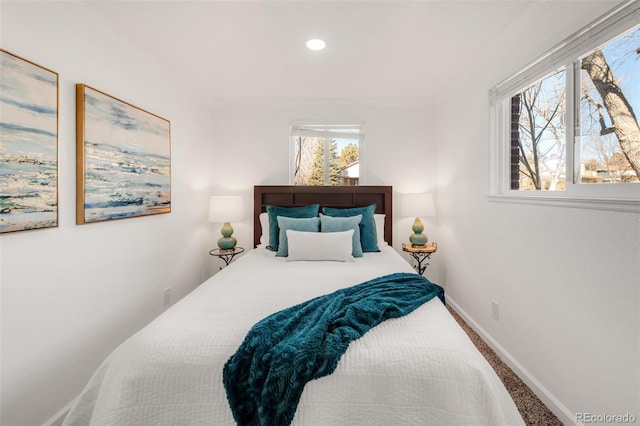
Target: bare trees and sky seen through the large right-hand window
x=606 y=99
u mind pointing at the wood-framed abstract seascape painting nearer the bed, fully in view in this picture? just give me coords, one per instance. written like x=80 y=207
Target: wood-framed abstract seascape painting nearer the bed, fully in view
x=123 y=159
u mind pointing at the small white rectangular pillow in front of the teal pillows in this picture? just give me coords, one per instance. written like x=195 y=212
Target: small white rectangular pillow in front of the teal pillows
x=334 y=246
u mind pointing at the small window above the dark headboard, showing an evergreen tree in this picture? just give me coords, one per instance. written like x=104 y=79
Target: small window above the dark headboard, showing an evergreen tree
x=326 y=154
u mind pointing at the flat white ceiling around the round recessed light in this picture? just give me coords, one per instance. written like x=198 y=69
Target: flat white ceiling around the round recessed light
x=375 y=49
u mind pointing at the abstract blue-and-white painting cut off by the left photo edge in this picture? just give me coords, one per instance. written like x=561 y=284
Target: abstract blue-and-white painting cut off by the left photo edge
x=28 y=145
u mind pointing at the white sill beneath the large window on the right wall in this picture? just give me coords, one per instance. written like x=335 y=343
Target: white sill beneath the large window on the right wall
x=611 y=204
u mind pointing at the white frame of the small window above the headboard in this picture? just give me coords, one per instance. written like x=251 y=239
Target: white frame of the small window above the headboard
x=327 y=130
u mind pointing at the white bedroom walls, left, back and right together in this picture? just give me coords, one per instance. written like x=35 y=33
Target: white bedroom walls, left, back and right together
x=70 y=294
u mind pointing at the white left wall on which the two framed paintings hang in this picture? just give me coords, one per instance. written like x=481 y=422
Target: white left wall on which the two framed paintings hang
x=70 y=294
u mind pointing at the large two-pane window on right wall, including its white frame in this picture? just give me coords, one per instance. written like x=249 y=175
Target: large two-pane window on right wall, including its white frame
x=566 y=127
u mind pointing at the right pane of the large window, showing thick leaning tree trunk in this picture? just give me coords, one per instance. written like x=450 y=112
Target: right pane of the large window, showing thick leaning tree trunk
x=608 y=112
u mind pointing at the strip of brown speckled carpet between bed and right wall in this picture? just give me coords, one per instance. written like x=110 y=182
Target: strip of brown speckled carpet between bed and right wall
x=533 y=411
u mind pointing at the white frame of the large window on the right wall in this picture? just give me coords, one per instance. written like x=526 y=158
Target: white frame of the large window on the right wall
x=618 y=196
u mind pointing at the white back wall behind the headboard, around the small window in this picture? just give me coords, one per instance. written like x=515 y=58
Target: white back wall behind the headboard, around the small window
x=399 y=147
